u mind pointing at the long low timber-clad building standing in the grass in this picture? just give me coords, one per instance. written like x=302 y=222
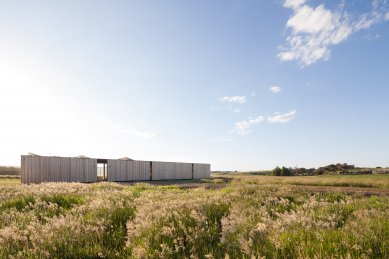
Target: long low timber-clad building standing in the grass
x=38 y=169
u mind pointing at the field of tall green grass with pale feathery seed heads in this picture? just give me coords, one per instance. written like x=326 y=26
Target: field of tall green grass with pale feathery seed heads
x=227 y=216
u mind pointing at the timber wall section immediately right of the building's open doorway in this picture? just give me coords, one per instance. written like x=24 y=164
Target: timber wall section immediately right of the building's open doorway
x=127 y=170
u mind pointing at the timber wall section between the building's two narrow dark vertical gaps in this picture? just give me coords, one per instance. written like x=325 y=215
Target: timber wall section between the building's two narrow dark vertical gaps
x=171 y=171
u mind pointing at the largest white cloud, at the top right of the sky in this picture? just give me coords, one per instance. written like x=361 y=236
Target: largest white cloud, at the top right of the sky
x=313 y=30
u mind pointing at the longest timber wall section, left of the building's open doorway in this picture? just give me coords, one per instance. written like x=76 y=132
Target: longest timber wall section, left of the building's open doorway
x=37 y=169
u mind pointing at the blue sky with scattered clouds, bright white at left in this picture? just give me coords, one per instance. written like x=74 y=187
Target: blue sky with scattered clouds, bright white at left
x=242 y=85
